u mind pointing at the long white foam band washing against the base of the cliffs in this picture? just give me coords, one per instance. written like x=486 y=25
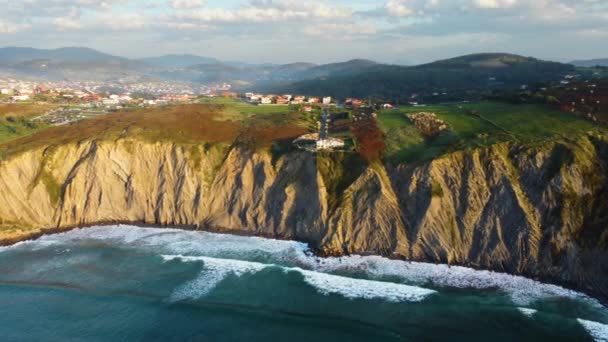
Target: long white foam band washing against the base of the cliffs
x=522 y=291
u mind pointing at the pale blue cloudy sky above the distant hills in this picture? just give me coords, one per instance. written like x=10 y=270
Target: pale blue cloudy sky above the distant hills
x=320 y=31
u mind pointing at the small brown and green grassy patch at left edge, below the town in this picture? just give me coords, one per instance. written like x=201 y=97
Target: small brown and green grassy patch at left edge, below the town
x=15 y=120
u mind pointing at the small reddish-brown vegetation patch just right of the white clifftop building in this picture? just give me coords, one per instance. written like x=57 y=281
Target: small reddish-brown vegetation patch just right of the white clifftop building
x=370 y=140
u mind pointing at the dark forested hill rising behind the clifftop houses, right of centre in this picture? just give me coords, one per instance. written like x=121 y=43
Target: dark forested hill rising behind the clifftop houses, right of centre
x=454 y=77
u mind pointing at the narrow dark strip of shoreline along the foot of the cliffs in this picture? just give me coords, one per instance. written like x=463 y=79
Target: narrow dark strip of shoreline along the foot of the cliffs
x=58 y=230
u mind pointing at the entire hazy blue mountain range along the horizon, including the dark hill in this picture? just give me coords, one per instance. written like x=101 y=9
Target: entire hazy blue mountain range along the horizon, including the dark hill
x=357 y=77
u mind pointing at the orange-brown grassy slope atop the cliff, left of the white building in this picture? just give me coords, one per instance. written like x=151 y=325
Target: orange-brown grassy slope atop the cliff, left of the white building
x=183 y=124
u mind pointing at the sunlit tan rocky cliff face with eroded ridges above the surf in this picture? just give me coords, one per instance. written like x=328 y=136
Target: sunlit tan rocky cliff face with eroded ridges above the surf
x=540 y=211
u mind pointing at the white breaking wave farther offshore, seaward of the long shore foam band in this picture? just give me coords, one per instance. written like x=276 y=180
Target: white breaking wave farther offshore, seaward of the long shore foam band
x=217 y=270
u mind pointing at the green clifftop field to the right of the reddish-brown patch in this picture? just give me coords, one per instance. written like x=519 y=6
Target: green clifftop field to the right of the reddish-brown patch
x=474 y=125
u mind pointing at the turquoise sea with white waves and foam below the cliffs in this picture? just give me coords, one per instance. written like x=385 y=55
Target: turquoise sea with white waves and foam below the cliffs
x=126 y=283
